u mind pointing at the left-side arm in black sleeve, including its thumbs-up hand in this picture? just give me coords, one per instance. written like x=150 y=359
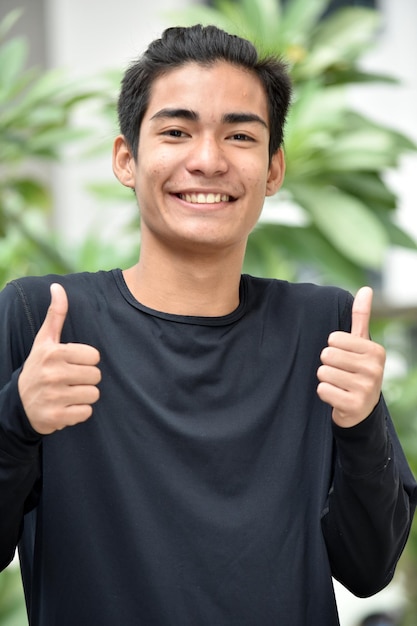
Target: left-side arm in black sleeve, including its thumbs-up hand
x=45 y=385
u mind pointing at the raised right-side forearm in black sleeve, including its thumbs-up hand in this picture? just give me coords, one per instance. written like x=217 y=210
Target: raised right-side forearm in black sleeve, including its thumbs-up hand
x=372 y=500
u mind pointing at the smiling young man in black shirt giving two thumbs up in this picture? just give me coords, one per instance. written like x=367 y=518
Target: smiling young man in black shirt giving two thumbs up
x=216 y=481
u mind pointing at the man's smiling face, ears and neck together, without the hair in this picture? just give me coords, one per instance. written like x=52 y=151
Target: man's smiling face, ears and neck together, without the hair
x=200 y=174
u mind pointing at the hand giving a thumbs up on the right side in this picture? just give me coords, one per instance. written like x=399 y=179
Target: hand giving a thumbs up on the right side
x=352 y=367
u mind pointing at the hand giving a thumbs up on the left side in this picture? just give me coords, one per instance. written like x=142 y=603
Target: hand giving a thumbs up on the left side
x=58 y=382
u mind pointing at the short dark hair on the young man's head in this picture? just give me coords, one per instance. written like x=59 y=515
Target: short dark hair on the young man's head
x=204 y=45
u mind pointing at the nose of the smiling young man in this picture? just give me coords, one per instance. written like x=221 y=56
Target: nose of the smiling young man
x=207 y=156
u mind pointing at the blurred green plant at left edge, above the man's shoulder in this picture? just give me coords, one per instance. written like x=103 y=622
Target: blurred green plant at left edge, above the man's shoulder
x=36 y=110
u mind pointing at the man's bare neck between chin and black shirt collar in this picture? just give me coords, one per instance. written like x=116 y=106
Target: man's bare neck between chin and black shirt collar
x=200 y=285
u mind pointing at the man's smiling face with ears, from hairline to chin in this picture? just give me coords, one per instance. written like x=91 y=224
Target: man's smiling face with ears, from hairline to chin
x=202 y=169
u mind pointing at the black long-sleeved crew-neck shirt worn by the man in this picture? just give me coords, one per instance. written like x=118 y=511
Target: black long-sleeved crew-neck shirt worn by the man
x=210 y=487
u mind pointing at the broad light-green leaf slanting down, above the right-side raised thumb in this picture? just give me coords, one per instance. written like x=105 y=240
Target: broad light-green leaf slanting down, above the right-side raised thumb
x=346 y=223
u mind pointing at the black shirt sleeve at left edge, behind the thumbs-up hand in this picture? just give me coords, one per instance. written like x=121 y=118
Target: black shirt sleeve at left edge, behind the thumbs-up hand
x=19 y=443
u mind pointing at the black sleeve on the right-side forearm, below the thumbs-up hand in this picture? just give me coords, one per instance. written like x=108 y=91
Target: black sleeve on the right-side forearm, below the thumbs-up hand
x=370 y=506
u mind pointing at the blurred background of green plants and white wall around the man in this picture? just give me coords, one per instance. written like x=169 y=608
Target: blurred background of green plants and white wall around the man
x=347 y=212
